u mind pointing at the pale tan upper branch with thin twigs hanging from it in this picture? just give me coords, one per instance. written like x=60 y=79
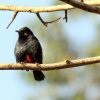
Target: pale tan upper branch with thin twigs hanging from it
x=50 y=8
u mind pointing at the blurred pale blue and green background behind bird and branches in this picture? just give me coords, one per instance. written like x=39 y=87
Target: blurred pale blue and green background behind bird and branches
x=78 y=38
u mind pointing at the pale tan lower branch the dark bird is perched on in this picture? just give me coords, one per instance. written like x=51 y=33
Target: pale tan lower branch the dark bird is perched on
x=53 y=66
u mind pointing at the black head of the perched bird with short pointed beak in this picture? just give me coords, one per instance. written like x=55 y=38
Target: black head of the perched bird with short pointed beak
x=24 y=32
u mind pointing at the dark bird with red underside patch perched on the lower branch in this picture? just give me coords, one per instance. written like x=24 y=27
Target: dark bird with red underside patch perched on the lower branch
x=29 y=50
